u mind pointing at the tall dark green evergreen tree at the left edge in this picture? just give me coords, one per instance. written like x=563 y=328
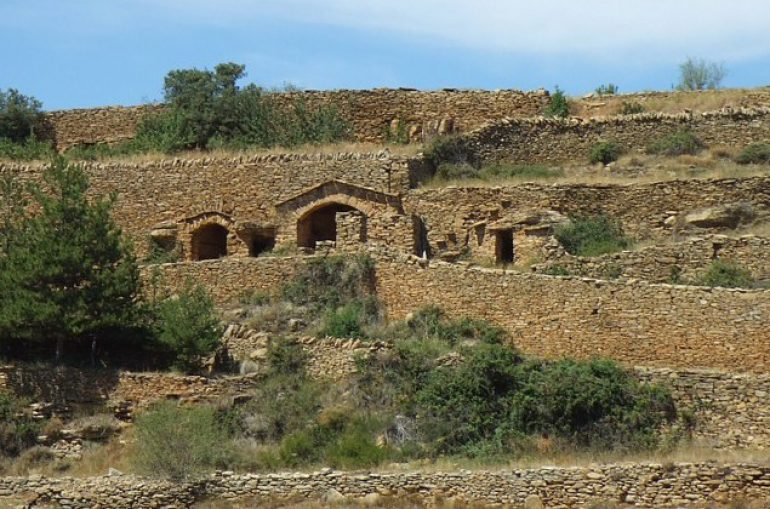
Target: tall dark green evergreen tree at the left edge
x=67 y=274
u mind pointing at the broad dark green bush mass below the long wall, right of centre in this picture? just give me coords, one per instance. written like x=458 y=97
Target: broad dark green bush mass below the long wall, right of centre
x=494 y=397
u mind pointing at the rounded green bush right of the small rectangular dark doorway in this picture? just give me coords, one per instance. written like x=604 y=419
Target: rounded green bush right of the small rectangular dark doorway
x=592 y=236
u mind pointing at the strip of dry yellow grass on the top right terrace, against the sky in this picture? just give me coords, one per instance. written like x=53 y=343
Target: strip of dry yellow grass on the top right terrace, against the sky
x=673 y=102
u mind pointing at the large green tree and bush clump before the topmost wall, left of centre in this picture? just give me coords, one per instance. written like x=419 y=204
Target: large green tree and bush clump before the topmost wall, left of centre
x=208 y=110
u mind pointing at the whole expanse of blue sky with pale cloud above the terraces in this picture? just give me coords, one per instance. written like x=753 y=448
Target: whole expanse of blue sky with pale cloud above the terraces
x=83 y=53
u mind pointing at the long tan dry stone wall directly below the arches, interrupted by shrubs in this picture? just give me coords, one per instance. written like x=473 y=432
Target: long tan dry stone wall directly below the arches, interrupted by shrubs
x=634 y=322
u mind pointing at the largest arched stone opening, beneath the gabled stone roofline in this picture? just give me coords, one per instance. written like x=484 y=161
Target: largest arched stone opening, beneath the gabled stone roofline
x=319 y=222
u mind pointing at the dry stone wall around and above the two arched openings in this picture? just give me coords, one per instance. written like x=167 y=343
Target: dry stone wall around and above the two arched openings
x=246 y=188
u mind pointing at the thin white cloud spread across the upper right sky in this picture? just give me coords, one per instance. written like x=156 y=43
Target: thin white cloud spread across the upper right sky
x=665 y=29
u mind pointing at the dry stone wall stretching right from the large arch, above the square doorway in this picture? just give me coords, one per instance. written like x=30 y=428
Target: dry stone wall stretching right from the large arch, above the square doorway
x=645 y=210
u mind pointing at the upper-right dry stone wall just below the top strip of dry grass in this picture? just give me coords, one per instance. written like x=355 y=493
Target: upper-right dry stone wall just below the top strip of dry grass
x=553 y=141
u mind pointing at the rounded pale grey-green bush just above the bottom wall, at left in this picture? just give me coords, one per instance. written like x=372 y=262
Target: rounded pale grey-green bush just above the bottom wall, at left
x=179 y=442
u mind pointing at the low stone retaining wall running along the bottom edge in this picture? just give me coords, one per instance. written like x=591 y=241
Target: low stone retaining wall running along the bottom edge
x=635 y=485
